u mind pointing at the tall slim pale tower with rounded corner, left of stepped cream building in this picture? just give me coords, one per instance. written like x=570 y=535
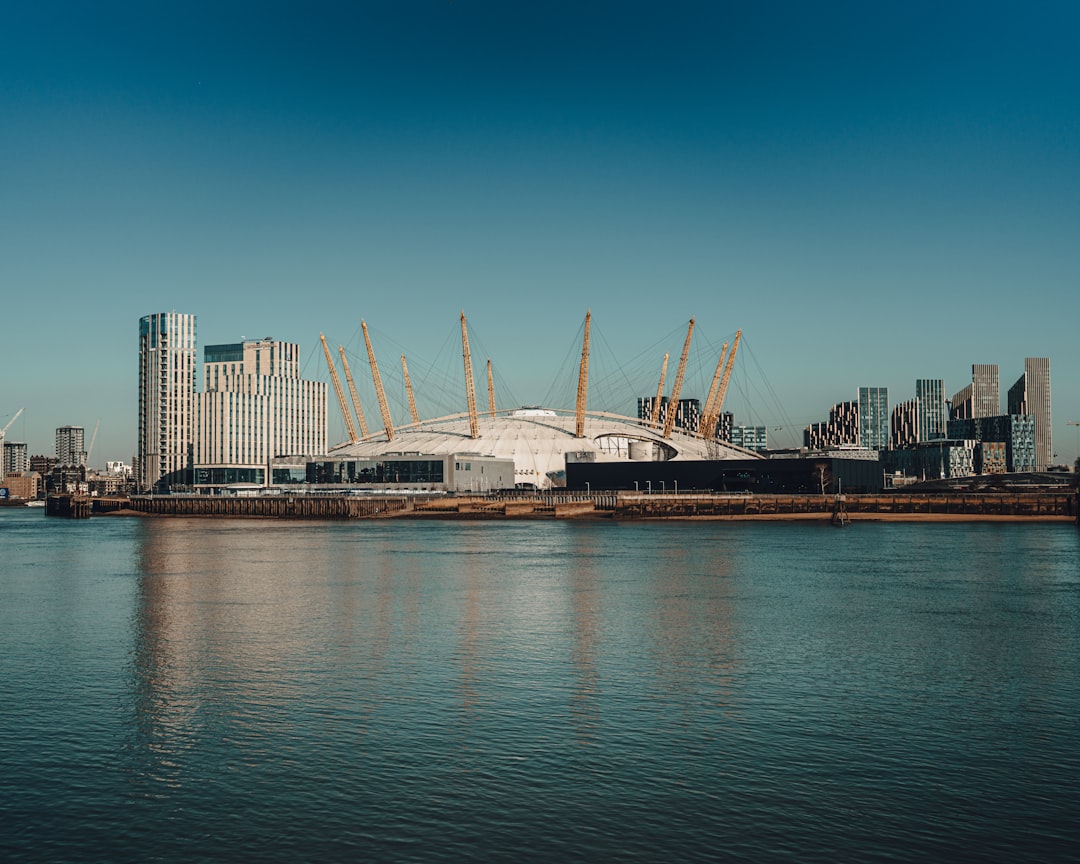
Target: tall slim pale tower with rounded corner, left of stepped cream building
x=167 y=399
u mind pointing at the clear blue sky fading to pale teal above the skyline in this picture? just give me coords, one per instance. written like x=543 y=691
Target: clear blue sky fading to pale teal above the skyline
x=873 y=193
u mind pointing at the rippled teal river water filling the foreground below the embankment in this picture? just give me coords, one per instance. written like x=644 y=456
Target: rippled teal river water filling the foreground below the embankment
x=207 y=691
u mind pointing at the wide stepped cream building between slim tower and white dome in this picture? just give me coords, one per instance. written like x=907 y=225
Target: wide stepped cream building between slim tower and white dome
x=255 y=408
